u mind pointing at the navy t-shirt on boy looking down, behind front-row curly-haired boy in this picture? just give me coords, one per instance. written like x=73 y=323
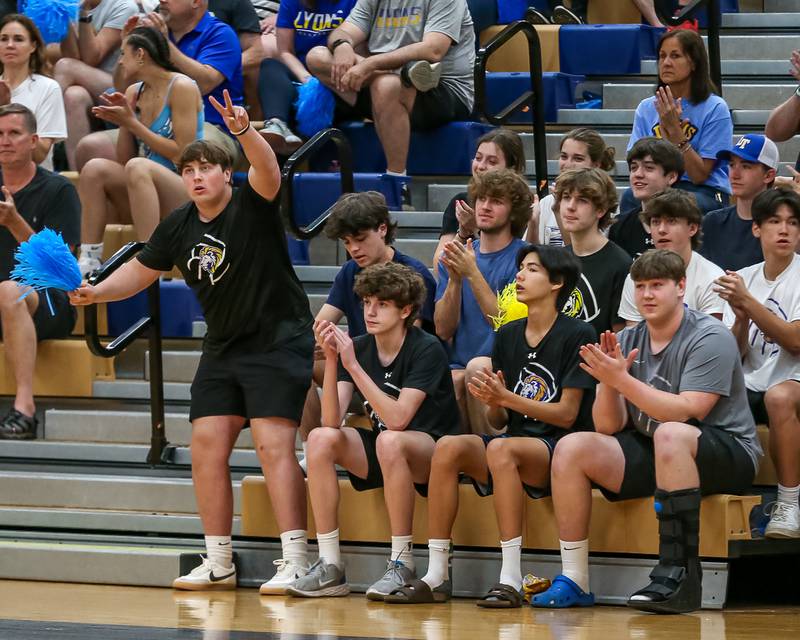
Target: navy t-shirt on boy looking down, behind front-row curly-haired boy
x=343 y=298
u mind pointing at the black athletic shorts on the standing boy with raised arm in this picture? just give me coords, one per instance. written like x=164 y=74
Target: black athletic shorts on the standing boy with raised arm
x=271 y=384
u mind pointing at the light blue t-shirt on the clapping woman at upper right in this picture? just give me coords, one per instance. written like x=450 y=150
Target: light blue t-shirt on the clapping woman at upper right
x=709 y=130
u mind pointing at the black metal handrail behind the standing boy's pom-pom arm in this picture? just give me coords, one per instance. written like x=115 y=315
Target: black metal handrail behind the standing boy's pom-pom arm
x=160 y=449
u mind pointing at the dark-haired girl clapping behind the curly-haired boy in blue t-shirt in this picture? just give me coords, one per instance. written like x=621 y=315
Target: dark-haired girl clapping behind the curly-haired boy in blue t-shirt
x=497 y=149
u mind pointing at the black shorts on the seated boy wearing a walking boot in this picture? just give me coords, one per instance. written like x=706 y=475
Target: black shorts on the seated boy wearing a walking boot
x=723 y=464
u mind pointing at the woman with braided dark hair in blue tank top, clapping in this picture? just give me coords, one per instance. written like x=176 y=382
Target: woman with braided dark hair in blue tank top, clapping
x=160 y=113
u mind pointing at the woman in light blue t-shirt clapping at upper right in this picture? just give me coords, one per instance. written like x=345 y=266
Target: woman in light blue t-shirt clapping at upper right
x=687 y=113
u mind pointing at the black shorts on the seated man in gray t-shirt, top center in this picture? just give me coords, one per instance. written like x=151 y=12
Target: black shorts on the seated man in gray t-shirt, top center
x=432 y=108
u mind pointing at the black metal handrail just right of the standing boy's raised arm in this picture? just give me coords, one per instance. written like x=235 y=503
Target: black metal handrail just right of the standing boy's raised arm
x=298 y=159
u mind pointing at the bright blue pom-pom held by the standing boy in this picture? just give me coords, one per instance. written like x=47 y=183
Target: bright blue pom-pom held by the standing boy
x=44 y=262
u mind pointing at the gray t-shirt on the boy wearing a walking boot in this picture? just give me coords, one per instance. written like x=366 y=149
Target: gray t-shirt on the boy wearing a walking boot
x=702 y=356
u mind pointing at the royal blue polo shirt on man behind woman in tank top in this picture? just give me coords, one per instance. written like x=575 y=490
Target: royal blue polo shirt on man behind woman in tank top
x=214 y=43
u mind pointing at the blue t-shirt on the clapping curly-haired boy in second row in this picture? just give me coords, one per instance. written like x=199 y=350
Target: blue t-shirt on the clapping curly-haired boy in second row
x=474 y=335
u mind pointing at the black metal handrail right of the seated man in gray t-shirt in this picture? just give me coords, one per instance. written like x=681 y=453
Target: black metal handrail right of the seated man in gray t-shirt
x=534 y=99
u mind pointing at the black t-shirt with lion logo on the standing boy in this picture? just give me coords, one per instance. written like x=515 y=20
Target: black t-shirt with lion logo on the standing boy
x=238 y=265
